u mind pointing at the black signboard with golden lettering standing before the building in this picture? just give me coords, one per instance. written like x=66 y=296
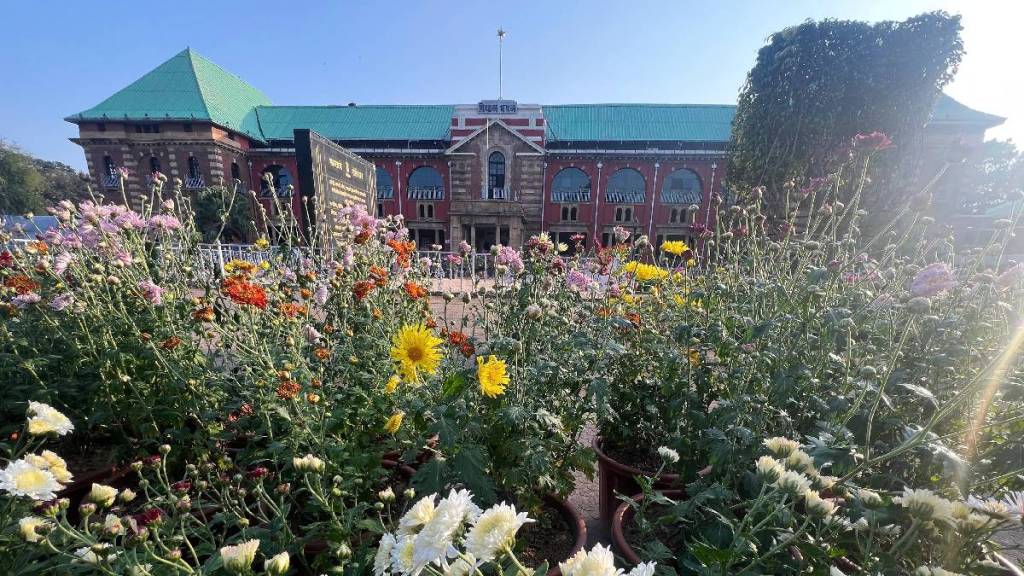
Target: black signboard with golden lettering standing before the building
x=333 y=178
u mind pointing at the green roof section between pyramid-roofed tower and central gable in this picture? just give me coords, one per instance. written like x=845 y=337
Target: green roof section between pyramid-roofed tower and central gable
x=359 y=122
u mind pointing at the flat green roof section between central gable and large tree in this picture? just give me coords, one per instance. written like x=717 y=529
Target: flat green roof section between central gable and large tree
x=626 y=122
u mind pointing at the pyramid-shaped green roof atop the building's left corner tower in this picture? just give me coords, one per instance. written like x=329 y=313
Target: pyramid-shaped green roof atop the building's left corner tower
x=188 y=87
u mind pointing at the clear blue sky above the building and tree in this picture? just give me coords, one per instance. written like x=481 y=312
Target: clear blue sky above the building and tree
x=62 y=58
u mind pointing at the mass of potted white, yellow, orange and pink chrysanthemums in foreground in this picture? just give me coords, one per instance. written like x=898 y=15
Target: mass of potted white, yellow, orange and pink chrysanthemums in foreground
x=796 y=397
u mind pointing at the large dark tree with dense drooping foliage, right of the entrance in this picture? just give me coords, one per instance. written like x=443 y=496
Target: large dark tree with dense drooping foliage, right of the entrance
x=817 y=86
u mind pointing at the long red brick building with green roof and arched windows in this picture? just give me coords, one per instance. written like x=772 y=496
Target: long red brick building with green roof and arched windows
x=495 y=172
